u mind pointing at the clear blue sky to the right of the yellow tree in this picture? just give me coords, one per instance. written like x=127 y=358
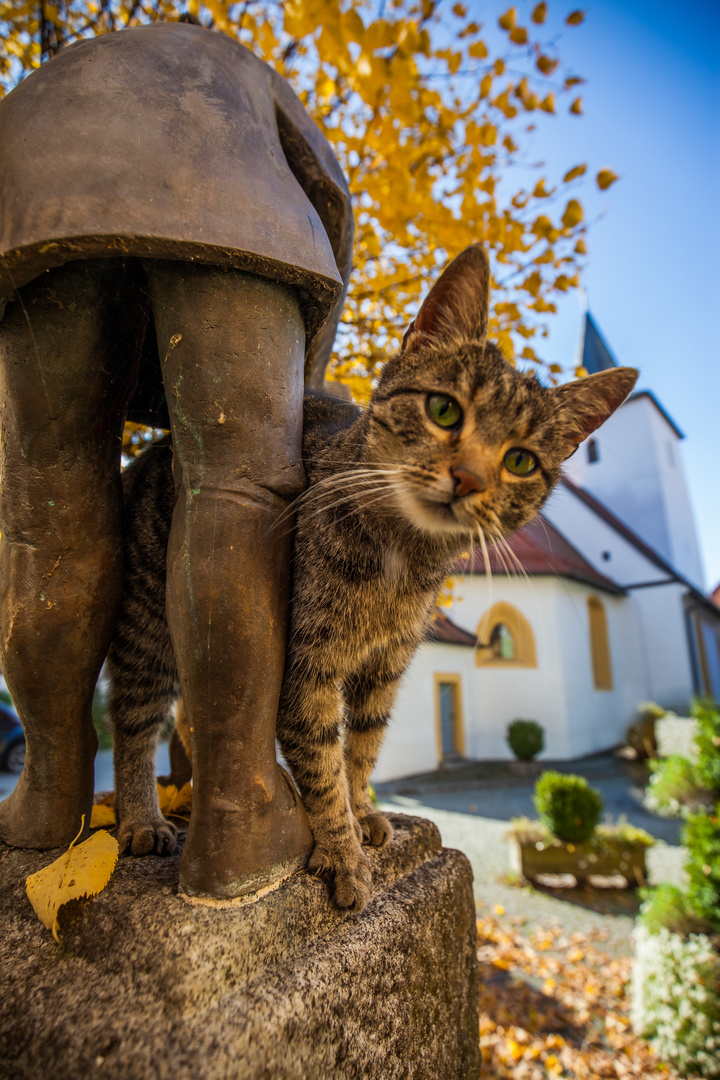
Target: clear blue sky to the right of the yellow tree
x=653 y=114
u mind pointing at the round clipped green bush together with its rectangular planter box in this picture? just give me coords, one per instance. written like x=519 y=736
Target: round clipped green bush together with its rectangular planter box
x=567 y=839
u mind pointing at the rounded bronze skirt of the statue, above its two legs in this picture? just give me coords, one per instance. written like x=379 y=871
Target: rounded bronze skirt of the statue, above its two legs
x=173 y=142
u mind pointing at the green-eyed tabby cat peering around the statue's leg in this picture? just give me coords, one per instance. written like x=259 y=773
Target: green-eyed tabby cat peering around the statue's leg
x=456 y=447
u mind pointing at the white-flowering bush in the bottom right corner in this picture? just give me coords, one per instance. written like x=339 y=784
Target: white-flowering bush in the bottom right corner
x=676 y=998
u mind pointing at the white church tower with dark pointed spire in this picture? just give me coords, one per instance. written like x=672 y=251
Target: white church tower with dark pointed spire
x=634 y=466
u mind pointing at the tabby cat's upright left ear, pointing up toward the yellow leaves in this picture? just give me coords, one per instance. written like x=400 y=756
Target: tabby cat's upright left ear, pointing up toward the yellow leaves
x=457 y=305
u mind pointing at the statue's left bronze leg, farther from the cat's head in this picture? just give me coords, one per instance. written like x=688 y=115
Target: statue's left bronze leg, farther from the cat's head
x=64 y=374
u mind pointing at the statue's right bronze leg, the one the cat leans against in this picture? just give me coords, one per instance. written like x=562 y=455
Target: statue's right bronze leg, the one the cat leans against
x=233 y=350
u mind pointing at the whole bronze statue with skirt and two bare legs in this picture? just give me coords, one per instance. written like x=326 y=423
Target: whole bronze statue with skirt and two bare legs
x=175 y=247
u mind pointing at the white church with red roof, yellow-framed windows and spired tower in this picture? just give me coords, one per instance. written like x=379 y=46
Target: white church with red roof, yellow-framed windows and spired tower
x=612 y=611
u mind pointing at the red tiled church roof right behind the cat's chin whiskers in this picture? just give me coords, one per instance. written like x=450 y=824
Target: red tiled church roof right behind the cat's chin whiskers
x=544 y=552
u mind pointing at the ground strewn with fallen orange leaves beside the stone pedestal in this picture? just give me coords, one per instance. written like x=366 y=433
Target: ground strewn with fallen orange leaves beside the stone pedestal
x=555 y=1005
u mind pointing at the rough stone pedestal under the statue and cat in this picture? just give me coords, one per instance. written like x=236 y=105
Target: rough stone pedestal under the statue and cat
x=147 y=985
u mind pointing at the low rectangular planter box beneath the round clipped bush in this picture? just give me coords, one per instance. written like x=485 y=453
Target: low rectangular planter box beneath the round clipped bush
x=612 y=858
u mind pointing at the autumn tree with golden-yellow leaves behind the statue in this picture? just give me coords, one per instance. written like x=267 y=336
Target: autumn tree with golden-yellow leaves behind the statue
x=428 y=114
